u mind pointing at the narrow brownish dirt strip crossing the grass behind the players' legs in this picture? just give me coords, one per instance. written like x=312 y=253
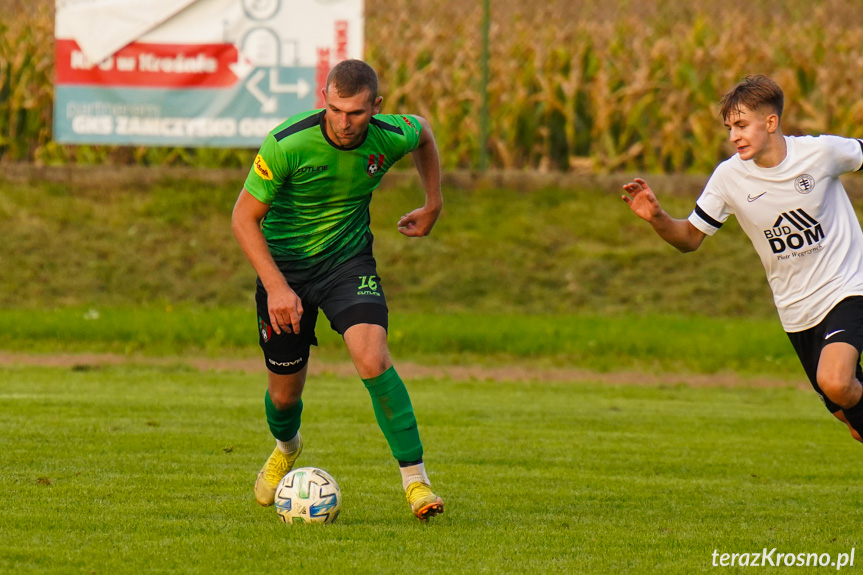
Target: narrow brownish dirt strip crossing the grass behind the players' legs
x=410 y=370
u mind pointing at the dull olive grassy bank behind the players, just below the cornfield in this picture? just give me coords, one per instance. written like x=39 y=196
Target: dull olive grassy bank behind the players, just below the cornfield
x=100 y=237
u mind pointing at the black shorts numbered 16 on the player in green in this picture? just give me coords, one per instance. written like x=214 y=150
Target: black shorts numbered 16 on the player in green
x=349 y=294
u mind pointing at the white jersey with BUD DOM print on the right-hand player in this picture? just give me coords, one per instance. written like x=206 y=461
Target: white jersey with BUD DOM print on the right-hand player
x=800 y=221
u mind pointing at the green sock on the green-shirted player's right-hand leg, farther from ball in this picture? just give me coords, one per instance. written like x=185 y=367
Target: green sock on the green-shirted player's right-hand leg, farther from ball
x=395 y=415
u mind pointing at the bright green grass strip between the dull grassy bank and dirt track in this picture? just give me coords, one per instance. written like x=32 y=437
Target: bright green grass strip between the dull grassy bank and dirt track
x=602 y=343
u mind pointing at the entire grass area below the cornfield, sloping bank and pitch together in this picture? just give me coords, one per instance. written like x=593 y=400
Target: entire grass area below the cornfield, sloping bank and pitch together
x=622 y=408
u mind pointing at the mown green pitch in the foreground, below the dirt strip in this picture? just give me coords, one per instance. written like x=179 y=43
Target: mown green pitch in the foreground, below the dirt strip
x=149 y=470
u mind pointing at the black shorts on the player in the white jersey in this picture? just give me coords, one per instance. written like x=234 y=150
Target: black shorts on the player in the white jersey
x=844 y=323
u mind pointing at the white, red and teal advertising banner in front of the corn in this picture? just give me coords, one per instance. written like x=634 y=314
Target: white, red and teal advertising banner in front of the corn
x=195 y=73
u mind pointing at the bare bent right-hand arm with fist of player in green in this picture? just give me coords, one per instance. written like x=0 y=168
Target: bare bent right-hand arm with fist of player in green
x=421 y=221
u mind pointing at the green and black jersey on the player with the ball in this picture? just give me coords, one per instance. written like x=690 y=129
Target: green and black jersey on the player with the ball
x=319 y=193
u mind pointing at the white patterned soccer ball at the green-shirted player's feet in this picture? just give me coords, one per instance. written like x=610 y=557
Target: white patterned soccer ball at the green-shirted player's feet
x=308 y=495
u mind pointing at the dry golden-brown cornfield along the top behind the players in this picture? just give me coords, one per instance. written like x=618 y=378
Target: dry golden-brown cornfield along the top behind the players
x=594 y=86
